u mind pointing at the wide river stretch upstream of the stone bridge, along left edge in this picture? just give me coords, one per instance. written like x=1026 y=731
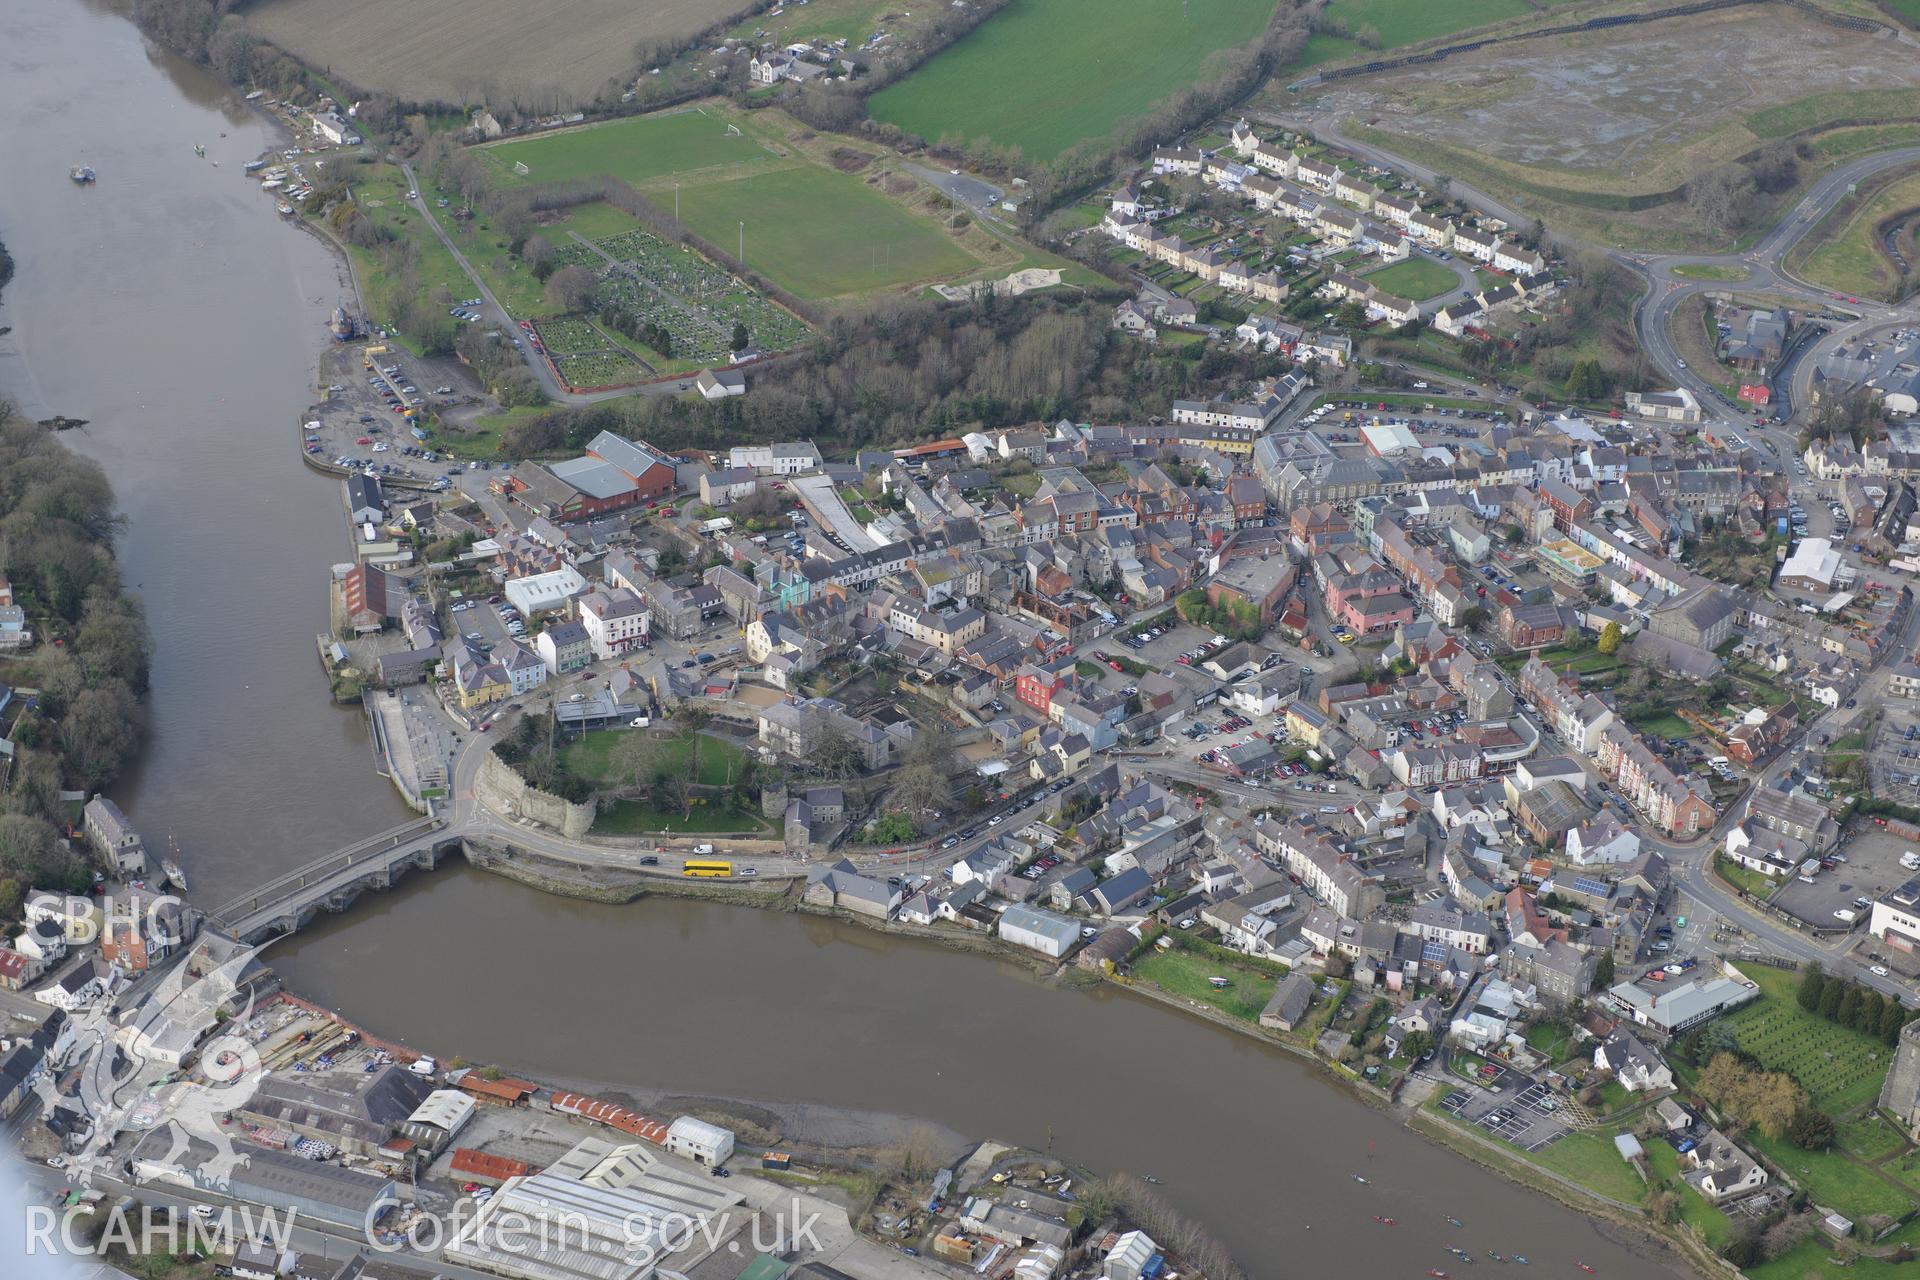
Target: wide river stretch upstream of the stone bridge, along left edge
x=172 y=310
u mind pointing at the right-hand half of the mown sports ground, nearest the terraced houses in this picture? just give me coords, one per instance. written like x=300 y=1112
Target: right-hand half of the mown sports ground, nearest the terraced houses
x=821 y=233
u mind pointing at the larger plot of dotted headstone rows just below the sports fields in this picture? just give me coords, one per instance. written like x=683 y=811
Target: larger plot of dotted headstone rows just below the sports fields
x=692 y=300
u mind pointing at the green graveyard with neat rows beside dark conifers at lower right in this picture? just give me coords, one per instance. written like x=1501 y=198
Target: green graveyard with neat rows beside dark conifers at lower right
x=1838 y=1066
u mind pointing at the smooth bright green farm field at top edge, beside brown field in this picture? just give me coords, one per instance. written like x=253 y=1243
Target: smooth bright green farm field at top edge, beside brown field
x=1042 y=76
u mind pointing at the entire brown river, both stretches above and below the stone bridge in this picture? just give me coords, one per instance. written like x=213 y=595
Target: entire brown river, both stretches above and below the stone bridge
x=172 y=310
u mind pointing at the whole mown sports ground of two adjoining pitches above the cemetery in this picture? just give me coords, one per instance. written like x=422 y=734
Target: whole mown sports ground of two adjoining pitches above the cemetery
x=809 y=227
